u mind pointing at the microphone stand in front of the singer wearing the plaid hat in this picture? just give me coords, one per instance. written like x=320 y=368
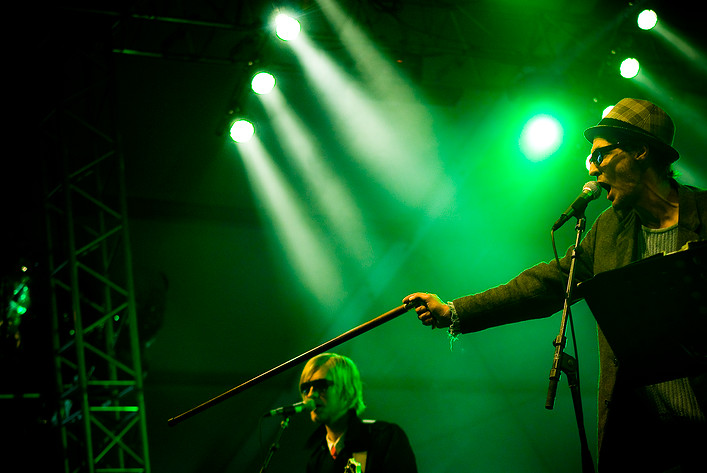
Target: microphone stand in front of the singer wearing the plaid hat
x=562 y=362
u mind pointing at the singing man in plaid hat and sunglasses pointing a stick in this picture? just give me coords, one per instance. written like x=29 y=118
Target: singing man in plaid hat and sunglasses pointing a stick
x=655 y=428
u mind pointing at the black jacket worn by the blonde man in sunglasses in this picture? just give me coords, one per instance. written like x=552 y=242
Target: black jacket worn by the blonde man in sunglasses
x=388 y=448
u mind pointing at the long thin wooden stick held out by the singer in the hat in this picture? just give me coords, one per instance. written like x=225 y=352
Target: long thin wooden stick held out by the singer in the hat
x=354 y=332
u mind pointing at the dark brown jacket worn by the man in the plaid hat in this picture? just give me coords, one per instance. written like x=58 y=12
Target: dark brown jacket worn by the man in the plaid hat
x=539 y=291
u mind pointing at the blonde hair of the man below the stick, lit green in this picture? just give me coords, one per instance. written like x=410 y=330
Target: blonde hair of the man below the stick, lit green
x=344 y=374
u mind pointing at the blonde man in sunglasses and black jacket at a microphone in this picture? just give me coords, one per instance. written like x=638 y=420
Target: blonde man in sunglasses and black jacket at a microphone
x=345 y=442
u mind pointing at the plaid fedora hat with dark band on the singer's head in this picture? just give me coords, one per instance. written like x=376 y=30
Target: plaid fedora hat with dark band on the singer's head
x=642 y=120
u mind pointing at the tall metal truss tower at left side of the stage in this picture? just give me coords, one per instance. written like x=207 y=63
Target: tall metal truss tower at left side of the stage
x=97 y=348
